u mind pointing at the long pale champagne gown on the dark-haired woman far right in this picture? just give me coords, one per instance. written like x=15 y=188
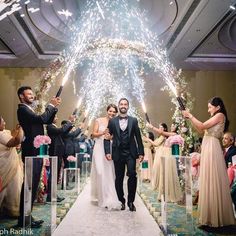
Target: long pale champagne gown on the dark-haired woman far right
x=215 y=203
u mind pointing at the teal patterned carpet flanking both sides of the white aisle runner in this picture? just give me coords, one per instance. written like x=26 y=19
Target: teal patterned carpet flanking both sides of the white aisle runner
x=176 y=216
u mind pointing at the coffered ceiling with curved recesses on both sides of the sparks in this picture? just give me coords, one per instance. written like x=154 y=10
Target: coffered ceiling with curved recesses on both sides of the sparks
x=198 y=34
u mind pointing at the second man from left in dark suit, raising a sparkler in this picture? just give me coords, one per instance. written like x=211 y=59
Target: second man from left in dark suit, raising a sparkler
x=57 y=147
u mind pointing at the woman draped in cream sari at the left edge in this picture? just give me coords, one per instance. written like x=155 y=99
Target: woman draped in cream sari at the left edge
x=11 y=170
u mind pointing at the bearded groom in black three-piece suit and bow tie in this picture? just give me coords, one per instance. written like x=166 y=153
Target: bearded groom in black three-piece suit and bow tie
x=127 y=146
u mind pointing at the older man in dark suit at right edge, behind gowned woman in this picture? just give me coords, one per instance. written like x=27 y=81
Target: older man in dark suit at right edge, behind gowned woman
x=229 y=148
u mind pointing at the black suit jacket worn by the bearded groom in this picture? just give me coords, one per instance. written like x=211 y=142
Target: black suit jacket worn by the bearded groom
x=134 y=136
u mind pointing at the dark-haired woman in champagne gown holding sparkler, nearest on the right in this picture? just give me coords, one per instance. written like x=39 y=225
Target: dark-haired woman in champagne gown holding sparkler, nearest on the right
x=215 y=203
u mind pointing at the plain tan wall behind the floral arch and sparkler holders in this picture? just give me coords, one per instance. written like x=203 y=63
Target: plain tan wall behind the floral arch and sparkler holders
x=202 y=84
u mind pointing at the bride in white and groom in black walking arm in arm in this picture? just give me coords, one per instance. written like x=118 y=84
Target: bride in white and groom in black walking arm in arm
x=118 y=144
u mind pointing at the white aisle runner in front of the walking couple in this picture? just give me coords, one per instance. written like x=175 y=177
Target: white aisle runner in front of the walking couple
x=85 y=219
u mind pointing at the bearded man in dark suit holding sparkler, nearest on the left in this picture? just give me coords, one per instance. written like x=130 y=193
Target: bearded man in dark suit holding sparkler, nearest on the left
x=32 y=125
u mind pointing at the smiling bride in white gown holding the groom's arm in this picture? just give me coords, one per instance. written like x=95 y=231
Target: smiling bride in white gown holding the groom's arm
x=103 y=174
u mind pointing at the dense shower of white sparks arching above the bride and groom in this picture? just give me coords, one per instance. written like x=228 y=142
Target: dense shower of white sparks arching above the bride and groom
x=113 y=54
